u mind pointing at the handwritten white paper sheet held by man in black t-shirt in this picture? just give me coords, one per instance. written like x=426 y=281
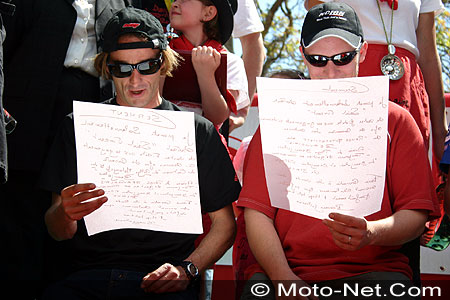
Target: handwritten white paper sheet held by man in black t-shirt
x=146 y=162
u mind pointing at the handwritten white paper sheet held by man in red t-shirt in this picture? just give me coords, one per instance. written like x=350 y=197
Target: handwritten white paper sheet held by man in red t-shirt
x=324 y=143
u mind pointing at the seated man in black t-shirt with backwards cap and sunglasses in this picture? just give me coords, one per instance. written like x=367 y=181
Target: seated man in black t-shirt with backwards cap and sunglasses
x=161 y=265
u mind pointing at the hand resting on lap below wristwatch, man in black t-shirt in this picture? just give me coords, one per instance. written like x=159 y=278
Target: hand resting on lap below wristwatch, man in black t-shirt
x=165 y=279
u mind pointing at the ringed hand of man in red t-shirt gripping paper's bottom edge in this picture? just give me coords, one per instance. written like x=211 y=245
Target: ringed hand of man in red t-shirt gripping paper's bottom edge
x=349 y=233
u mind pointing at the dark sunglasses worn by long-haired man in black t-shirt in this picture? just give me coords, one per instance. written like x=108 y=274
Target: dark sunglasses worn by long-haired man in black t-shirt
x=147 y=67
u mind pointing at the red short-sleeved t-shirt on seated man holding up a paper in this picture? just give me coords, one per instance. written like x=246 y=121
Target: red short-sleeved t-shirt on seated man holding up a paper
x=308 y=244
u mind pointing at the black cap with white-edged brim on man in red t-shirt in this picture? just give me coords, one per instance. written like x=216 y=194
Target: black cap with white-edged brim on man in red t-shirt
x=332 y=19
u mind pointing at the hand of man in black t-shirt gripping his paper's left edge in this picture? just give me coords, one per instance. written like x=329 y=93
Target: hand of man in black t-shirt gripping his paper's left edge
x=76 y=200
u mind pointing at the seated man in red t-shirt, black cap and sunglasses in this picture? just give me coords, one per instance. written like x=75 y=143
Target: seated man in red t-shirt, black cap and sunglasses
x=298 y=249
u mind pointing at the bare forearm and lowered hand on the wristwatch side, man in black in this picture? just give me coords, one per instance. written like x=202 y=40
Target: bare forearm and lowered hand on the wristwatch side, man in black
x=169 y=278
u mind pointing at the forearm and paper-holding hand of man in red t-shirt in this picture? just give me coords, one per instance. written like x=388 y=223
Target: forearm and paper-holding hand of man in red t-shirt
x=353 y=233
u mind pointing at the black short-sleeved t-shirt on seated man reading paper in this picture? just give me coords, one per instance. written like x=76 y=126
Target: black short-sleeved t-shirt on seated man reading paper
x=135 y=249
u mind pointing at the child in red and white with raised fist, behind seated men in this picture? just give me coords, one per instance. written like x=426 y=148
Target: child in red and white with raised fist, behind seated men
x=204 y=27
